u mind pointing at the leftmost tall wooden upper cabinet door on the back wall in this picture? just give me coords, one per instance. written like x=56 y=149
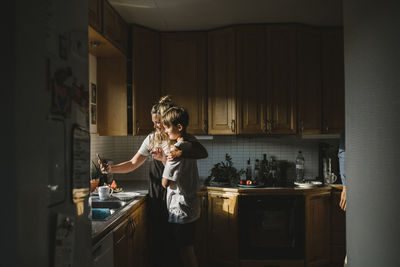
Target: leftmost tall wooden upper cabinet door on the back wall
x=146 y=77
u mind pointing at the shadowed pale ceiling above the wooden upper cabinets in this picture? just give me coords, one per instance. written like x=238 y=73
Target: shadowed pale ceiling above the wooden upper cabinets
x=181 y=15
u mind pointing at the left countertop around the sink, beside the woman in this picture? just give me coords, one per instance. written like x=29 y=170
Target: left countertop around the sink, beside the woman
x=102 y=227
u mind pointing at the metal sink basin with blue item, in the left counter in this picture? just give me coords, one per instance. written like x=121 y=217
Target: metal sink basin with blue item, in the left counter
x=103 y=209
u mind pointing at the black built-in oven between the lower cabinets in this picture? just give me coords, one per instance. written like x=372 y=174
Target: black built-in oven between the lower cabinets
x=271 y=227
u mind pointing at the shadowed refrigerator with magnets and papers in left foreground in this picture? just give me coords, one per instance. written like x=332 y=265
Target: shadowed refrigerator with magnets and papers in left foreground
x=52 y=141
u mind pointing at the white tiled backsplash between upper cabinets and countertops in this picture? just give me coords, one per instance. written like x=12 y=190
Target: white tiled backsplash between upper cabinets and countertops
x=123 y=148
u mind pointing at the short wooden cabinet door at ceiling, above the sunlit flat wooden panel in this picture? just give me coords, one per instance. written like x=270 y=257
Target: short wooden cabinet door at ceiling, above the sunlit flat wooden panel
x=114 y=28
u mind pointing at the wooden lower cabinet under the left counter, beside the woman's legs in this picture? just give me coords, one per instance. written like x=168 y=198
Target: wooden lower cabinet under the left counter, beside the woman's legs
x=130 y=240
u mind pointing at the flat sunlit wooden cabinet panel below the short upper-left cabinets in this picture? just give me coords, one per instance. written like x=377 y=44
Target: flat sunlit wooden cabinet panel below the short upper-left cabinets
x=111 y=96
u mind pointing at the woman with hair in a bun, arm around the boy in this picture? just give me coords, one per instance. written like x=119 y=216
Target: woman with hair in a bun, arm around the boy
x=156 y=144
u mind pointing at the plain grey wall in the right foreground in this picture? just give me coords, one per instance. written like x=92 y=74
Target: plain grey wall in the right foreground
x=372 y=93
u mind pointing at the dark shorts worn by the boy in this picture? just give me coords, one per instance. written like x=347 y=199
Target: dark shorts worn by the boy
x=182 y=234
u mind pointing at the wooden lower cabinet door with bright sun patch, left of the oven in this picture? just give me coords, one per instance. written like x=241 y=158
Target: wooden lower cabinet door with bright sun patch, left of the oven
x=223 y=229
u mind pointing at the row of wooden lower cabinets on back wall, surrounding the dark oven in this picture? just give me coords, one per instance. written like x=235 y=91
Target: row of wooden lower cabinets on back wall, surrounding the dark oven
x=223 y=232
